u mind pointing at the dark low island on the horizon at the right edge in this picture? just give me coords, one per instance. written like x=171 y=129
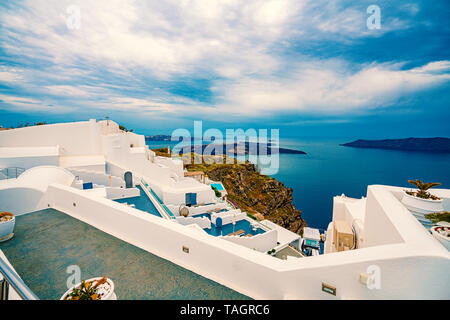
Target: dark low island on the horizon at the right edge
x=409 y=144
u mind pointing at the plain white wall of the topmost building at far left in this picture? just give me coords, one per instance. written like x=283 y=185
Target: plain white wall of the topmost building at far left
x=74 y=139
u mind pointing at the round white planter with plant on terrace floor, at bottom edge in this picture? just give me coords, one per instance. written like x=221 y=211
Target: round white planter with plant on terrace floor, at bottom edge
x=101 y=288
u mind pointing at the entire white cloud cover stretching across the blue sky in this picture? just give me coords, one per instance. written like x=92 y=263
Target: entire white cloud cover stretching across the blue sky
x=231 y=42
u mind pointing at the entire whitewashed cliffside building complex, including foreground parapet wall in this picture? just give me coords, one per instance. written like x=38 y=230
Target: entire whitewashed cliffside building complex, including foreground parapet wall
x=375 y=247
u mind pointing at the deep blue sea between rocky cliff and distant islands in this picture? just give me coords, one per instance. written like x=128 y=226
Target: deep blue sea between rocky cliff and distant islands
x=329 y=169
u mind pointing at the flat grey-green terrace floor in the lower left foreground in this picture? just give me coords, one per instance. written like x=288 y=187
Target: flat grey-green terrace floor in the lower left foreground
x=47 y=242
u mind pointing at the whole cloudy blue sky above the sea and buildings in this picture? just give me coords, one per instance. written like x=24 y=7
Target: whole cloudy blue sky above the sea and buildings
x=308 y=68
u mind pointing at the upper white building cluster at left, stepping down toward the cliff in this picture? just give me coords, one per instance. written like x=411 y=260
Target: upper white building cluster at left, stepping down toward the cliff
x=99 y=147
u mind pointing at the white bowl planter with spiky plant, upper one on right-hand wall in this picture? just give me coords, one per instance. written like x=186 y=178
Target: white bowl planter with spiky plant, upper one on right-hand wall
x=420 y=201
